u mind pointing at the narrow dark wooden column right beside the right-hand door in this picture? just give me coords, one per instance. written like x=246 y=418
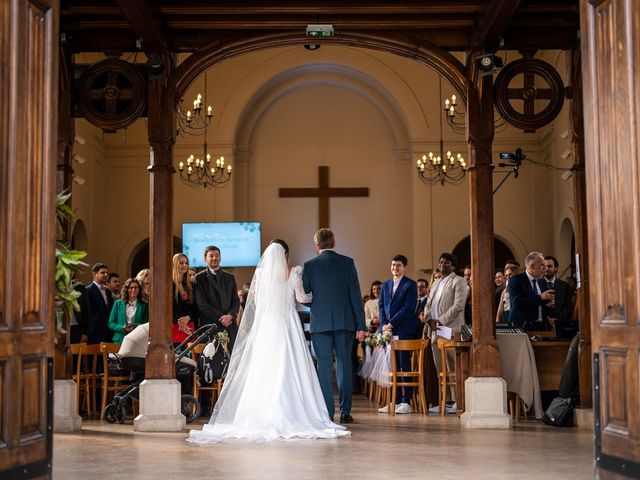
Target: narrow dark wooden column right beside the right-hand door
x=582 y=234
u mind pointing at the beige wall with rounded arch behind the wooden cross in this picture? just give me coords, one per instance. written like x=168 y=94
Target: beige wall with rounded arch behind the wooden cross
x=281 y=113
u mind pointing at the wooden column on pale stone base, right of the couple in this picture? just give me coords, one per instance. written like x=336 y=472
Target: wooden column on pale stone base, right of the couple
x=486 y=359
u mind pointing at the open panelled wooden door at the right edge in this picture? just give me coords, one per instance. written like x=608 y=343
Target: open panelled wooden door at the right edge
x=611 y=76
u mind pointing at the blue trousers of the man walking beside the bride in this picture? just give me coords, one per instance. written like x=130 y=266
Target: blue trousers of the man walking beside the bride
x=324 y=344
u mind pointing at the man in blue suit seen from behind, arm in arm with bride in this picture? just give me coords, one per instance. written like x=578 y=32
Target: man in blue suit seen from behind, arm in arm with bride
x=337 y=316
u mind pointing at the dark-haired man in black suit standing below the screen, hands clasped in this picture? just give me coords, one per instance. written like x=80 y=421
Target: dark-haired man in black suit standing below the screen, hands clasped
x=216 y=294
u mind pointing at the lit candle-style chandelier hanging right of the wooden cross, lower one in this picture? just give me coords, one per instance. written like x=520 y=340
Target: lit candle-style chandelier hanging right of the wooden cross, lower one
x=440 y=167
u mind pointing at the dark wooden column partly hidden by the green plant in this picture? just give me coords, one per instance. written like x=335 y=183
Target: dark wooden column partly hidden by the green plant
x=66 y=135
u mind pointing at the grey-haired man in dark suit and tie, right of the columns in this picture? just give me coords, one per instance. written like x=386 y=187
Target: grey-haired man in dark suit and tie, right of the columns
x=528 y=298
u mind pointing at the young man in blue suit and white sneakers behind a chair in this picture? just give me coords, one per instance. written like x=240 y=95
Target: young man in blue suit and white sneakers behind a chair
x=397 y=306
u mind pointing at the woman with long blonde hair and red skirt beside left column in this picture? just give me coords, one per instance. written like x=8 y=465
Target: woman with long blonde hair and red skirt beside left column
x=184 y=311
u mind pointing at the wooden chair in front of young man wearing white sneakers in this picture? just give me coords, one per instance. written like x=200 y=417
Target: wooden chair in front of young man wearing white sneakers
x=412 y=378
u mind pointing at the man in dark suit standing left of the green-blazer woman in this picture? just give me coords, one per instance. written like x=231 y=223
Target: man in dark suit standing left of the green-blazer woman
x=100 y=305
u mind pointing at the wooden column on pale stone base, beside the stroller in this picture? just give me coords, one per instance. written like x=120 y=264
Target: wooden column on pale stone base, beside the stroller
x=162 y=129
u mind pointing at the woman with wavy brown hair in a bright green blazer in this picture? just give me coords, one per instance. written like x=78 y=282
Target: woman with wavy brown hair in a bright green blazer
x=129 y=311
